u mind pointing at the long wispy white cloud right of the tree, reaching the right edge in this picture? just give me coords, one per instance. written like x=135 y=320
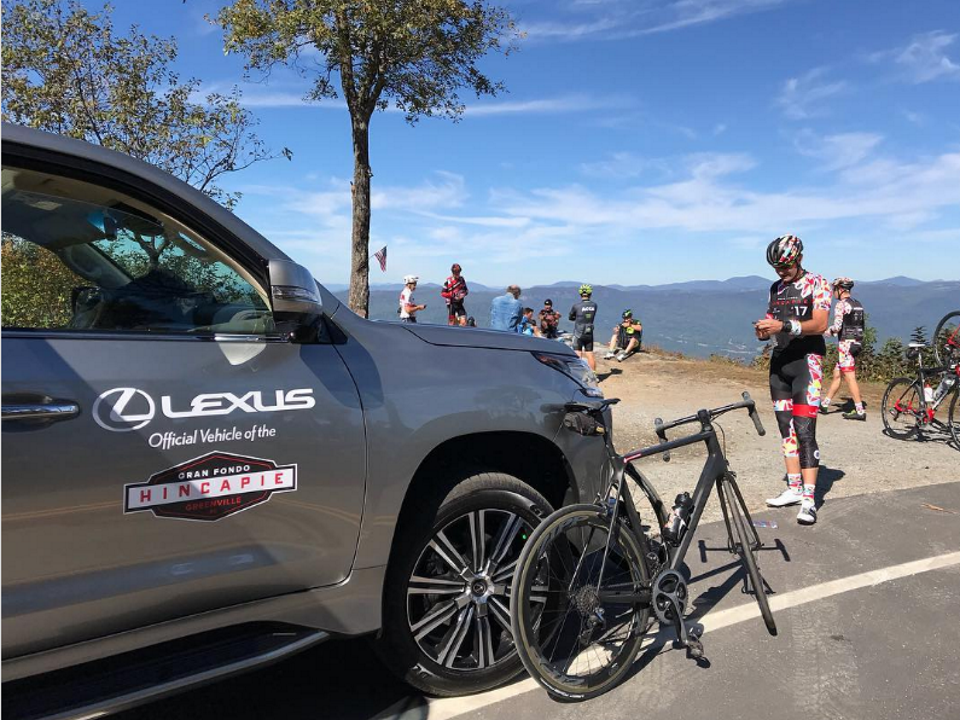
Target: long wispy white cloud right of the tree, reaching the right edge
x=707 y=201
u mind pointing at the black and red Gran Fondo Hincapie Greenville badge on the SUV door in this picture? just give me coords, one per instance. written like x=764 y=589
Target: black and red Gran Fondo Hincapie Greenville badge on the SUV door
x=210 y=487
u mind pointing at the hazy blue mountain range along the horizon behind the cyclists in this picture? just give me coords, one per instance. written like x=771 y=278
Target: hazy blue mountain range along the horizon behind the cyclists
x=701 y=317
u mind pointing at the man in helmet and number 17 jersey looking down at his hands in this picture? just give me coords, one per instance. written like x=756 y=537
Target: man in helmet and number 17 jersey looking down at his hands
x=797 y=317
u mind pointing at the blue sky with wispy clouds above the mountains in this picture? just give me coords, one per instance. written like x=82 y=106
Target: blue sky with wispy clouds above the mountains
x=641 y=141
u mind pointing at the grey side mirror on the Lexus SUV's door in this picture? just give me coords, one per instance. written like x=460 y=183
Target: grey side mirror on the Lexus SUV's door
x=297 y=306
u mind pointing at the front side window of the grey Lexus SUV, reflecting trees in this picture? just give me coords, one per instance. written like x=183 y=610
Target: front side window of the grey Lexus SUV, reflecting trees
x=78 y=256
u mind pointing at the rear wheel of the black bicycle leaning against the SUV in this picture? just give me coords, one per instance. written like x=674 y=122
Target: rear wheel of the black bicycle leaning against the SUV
x=578 y=617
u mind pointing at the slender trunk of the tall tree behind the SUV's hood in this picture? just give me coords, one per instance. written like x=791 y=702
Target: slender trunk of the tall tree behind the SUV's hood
x=359 y=298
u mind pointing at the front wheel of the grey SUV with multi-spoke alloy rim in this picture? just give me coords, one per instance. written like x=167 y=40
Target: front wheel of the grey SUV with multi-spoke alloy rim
x=472 y=649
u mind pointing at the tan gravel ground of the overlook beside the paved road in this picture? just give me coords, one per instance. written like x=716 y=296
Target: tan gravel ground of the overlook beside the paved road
x=857 y=458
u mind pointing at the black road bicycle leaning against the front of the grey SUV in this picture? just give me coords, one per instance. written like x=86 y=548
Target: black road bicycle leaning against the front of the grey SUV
x=590 y=575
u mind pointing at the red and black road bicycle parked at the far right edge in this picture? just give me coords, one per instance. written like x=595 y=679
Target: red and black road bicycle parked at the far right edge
x=910 y=405
